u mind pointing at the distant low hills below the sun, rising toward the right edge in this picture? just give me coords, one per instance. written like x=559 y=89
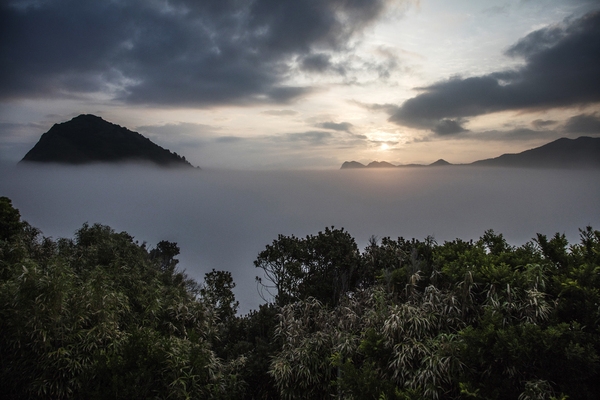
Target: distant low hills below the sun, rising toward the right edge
x=583 y=152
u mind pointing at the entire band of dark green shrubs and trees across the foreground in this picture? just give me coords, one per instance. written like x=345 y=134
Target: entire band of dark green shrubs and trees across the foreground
x=102 y=316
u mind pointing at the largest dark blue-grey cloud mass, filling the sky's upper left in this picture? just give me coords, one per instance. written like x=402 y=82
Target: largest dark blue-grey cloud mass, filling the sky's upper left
x=171 y=52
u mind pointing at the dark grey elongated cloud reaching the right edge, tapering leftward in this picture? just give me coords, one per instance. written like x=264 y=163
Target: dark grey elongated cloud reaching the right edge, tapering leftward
x=562 y=69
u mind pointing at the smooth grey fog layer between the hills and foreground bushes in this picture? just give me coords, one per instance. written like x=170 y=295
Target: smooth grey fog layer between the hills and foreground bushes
x=223 y=219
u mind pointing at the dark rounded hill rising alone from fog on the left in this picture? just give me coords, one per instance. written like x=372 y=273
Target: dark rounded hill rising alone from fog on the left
x=88 y=139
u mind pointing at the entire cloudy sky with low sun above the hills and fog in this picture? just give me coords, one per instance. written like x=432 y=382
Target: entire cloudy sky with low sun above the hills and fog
x=305 y=84
